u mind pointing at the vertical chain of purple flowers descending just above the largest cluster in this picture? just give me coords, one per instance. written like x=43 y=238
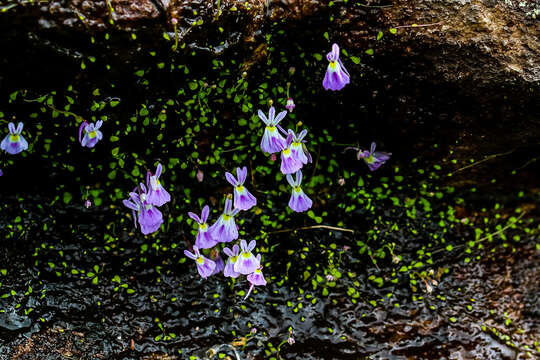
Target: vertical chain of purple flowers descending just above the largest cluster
x=294 y=155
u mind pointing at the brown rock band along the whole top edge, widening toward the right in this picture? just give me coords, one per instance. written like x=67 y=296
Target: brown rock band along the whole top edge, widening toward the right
x=481 y=43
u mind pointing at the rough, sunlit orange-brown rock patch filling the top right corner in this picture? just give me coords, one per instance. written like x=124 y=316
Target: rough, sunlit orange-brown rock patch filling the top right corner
x=483 y=42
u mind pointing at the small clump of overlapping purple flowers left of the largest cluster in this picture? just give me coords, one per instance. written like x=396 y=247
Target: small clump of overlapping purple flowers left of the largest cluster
x=143 y=202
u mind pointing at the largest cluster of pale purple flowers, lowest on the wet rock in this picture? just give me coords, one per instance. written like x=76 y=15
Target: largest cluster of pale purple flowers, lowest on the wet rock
x=241 y=259
